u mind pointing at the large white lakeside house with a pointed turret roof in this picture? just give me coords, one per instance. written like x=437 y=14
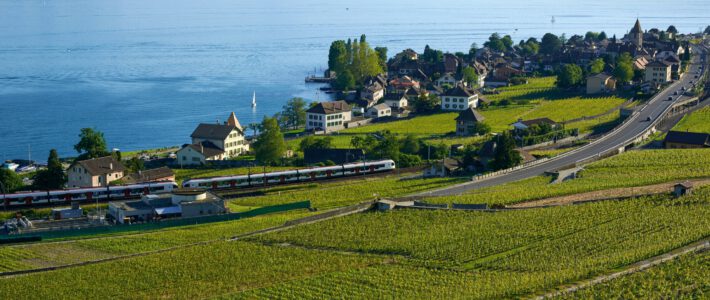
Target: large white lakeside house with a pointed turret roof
x=214 y=142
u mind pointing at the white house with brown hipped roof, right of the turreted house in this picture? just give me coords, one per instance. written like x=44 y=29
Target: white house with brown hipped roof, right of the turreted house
x=328 y=116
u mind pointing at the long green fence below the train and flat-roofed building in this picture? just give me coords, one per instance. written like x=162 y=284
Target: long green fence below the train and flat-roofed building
x=65 y=233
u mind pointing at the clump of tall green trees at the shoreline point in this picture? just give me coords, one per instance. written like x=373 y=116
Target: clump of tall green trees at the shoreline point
x=354 y=60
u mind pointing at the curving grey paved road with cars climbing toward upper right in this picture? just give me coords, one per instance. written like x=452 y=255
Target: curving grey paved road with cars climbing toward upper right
x=633 y=128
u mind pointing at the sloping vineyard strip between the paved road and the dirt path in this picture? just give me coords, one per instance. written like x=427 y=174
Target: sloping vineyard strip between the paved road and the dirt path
x=626 y=170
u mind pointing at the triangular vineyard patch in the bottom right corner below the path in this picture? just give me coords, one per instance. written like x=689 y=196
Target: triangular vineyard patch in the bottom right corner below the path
x=687 y=277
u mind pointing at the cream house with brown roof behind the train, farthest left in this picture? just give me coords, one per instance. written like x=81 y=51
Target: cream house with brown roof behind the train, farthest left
x=95 y=172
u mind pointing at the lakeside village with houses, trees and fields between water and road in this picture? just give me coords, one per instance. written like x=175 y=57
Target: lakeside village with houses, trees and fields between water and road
x=478 y=127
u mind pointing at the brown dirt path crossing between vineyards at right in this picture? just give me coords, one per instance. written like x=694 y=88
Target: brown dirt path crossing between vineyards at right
x=608 y=194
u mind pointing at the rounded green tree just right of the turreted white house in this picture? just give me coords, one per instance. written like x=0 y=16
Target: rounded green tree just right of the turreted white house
x=270 y=146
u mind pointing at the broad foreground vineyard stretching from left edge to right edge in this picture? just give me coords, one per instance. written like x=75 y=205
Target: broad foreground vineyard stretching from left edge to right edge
x=407 y=253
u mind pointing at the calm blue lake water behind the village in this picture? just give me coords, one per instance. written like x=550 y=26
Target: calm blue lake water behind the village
x=146 y=72
